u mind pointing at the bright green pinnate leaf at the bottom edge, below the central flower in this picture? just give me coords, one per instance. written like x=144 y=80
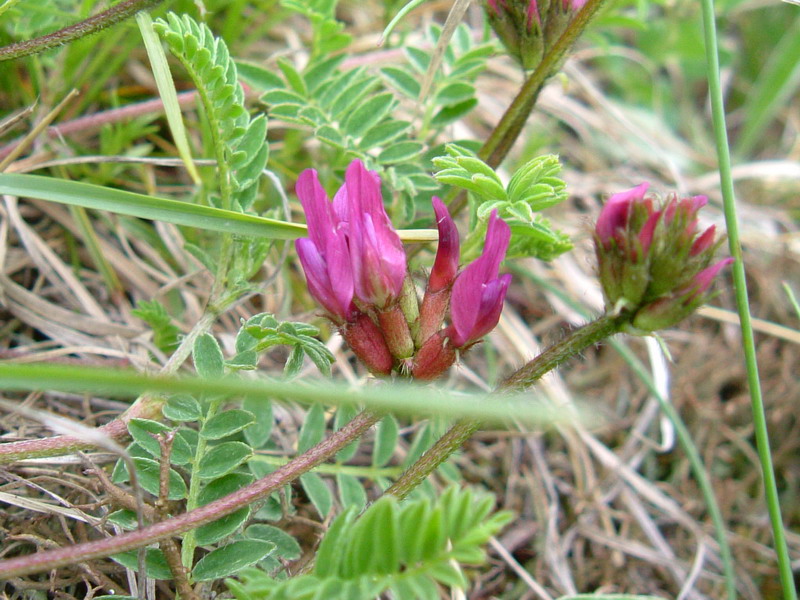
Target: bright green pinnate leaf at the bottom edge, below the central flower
x=406 y=548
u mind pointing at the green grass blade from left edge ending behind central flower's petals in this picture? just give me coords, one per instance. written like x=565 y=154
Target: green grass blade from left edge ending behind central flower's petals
x=76 y=193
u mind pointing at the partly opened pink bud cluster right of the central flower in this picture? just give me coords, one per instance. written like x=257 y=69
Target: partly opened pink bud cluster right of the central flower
x=654 y=264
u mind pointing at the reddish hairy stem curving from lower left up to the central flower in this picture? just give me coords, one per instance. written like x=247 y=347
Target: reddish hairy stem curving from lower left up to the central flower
x=51 y=559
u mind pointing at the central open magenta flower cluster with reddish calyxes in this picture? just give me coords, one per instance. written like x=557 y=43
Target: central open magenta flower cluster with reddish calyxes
x=356 y=269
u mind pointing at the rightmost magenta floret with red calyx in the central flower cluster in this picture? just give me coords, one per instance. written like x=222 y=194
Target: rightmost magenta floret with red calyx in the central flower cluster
x=478 y=292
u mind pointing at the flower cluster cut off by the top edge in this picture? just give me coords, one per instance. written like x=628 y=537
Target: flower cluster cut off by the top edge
x=529 y=28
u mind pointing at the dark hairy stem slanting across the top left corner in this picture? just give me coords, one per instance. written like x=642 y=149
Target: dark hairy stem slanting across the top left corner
x=93 y=24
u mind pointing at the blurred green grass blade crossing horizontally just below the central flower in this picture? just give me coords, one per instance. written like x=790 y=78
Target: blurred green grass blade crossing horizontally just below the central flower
x=403 y=399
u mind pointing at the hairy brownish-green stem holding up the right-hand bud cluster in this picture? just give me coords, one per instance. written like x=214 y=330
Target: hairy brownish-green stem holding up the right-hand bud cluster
x=548 y=360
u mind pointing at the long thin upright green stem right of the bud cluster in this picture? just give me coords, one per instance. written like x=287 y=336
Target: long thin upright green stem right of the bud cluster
x=743 y=304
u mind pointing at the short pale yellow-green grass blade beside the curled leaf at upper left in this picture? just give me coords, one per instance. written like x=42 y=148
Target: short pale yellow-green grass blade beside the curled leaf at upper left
x=166 y=89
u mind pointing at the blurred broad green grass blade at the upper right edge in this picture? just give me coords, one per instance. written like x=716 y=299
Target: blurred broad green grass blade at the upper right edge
x=776 y=84
